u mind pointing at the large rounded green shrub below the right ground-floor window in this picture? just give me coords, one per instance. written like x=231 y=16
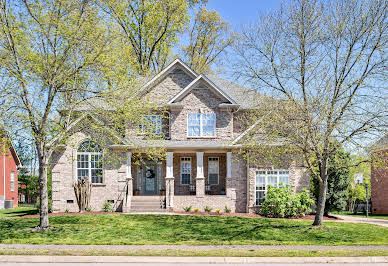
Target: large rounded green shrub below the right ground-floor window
x=282 y=202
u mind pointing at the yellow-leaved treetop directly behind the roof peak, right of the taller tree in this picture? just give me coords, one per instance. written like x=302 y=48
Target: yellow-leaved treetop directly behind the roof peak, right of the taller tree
x=209 y=37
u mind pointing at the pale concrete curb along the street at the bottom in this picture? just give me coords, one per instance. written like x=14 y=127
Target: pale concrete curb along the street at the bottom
x=190 y=260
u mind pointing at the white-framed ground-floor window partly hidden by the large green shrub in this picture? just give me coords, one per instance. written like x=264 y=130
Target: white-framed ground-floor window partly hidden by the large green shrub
x=274 y=178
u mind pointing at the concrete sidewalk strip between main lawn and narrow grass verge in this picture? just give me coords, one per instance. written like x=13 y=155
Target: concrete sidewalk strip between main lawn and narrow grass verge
x=187 y=247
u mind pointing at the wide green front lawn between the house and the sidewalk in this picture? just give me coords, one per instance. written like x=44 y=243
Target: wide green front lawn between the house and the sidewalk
x=191 y=230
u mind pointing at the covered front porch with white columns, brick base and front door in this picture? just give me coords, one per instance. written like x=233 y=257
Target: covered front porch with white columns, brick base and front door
x=197 y=179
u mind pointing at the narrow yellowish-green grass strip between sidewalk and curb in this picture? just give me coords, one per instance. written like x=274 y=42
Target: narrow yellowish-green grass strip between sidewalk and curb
x=194 y=253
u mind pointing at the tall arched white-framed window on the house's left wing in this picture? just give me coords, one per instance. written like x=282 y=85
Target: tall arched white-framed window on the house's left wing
x=89 y=161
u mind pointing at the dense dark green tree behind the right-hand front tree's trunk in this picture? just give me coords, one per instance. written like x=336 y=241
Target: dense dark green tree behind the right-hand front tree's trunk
x=338 y=182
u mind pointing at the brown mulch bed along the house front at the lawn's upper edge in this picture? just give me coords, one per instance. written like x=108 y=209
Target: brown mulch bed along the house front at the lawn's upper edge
x=253 y=215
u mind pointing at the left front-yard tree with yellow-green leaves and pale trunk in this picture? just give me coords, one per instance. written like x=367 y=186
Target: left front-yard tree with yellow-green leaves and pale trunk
x=58 y=64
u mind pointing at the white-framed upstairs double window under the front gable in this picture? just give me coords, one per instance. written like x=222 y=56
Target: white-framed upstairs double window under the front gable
x=201 y=125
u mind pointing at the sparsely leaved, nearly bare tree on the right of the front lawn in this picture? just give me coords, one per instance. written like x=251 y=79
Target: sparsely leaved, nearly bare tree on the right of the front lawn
x=326 y=64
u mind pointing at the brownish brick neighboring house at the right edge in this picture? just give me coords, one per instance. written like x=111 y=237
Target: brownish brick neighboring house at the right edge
x=379 y=177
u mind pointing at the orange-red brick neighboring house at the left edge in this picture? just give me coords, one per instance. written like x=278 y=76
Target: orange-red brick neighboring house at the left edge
x=9 y=163
